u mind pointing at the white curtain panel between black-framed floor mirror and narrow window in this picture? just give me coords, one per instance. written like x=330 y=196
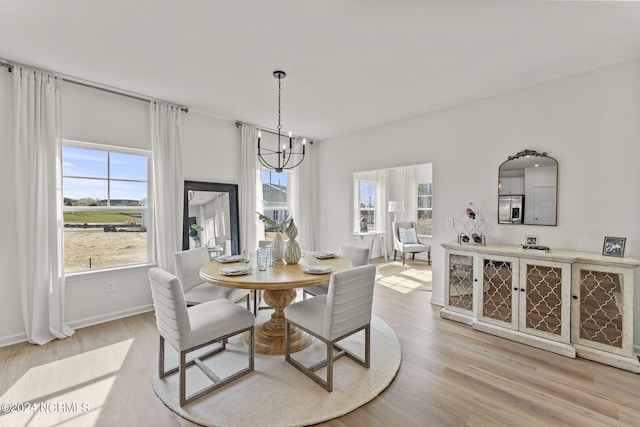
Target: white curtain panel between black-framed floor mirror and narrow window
x=249 y=188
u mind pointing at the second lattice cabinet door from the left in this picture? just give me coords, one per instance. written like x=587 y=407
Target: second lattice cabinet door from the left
x=498 y=290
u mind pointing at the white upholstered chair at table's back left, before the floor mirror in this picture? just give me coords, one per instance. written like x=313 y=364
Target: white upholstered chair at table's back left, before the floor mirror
x=195 y=289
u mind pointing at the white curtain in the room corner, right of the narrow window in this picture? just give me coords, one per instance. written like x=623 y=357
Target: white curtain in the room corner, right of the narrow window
x=303 y=190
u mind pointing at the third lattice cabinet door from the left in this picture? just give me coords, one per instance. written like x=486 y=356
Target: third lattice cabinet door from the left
x=545 y=299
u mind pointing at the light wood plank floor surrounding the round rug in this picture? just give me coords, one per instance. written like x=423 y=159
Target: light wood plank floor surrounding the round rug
x=450 y=376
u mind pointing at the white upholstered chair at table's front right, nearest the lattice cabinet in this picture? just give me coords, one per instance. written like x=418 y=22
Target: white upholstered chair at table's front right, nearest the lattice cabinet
x=344 y=311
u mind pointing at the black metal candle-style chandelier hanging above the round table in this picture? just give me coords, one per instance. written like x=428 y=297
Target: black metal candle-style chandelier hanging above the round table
x=281 y=157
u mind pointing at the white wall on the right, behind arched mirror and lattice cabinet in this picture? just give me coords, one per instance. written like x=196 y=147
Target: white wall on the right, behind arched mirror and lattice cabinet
x=589 y=122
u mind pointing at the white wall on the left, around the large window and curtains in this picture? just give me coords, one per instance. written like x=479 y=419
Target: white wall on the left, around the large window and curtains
x=210 y=154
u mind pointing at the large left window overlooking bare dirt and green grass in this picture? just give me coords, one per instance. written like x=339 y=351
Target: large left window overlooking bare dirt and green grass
x=105 y=206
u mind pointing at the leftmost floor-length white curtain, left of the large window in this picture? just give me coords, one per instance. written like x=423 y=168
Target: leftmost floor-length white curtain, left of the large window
x=38 y=206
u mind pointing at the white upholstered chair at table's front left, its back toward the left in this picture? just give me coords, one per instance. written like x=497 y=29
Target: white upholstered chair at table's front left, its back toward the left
x=188 y=329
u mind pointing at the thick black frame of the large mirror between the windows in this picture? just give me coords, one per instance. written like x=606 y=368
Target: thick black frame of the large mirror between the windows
x=234 y=221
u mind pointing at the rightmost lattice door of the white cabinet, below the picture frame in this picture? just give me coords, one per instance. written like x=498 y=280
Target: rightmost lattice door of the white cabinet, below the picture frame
x=602 y=308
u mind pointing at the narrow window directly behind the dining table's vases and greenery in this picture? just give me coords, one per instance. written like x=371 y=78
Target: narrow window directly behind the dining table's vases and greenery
x=275 y=196
